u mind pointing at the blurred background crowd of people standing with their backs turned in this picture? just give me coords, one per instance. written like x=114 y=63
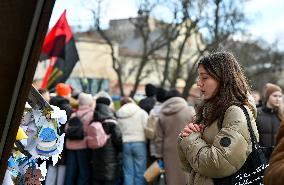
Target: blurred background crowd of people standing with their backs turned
x=128 y=152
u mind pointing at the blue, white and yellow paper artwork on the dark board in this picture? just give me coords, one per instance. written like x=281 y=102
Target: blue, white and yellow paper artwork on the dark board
x=39 y=138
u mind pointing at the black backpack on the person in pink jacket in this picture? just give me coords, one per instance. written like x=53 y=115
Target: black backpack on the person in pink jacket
x=75 y=129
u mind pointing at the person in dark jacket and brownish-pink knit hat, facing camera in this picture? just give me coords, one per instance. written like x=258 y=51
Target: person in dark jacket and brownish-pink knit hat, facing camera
x=269 y=116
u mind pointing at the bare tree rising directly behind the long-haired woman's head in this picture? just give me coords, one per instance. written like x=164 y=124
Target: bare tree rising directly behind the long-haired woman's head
x=220 y=20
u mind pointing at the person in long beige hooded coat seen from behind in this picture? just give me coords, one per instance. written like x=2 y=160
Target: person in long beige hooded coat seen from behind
x=174 y=115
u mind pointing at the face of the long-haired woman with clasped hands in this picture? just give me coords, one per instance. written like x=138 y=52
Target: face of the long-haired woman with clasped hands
x=207 y=84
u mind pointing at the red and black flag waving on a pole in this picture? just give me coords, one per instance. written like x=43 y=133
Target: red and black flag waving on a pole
x=59 y=47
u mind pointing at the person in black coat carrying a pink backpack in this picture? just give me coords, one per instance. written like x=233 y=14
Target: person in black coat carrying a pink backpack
x=105 y=160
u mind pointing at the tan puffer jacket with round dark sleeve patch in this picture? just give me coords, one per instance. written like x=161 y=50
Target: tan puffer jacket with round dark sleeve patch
x=217 y=153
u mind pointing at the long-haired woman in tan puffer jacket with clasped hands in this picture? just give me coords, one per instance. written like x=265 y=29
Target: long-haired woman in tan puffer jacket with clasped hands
x=218 y=143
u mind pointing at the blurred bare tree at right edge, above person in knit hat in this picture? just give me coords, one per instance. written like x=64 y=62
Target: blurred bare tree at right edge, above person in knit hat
x=258 y=59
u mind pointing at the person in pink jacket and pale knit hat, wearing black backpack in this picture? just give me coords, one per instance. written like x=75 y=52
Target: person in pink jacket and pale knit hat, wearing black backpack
x=78 y=154
